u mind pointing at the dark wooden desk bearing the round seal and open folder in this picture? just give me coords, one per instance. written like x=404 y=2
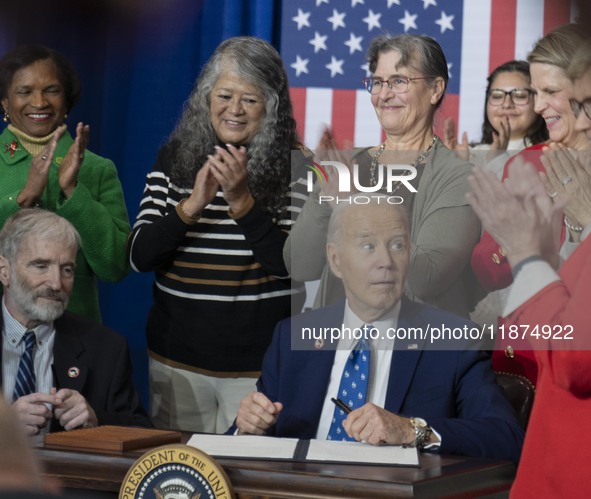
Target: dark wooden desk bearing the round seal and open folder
x=438 y=476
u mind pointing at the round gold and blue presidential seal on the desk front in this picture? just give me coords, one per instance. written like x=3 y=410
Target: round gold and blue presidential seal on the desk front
x=176 y=472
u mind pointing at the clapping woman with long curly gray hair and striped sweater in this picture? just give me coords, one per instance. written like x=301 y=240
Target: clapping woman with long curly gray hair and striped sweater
x=213 y=220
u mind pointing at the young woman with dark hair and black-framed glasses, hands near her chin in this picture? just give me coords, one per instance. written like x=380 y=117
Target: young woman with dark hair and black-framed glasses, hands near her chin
x=510 y=122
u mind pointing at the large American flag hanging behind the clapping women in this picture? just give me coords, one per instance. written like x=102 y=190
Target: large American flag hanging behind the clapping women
x=323 y=45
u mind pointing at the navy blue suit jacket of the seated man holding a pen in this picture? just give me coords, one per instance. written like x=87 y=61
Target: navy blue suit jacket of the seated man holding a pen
x=455 y=391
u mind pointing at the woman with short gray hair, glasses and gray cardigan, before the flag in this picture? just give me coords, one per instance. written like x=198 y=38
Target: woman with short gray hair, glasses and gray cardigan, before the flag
x=407 y=85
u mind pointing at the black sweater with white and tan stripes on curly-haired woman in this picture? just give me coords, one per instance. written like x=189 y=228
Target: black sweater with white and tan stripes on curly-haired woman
x=220 y=285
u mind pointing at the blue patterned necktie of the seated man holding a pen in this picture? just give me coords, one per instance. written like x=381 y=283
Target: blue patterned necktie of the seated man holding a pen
x=353 y=387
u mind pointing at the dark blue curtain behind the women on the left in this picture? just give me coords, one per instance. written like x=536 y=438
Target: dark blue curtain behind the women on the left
x=138 y=61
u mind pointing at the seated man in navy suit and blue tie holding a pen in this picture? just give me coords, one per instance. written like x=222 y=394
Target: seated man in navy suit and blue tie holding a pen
x=439 y=399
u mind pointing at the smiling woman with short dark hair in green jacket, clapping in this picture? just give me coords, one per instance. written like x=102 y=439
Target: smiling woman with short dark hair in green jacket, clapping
x=41 y=164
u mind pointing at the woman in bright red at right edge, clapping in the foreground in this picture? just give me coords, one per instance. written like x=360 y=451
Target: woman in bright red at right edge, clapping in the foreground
x=555 y=453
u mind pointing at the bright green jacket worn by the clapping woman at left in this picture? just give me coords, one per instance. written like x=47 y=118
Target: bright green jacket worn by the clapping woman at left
x=96 y=208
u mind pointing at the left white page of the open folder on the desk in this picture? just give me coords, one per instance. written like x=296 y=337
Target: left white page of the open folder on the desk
x=249 y=446
